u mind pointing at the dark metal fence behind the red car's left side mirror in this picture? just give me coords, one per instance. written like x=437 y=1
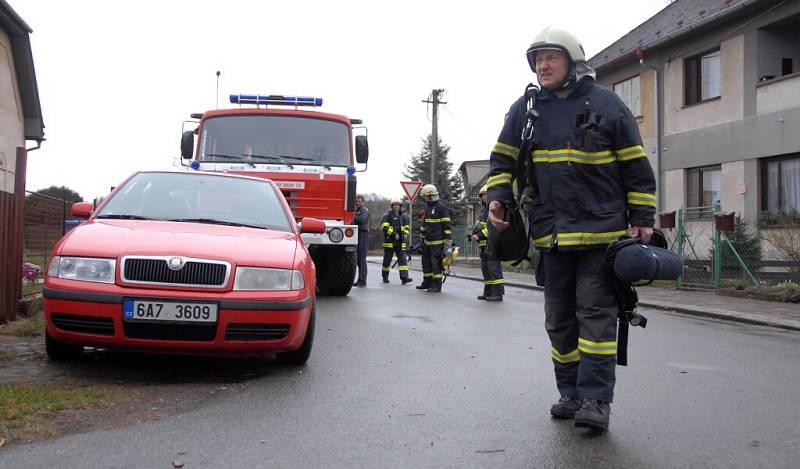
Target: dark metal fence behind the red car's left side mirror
x=46 y=220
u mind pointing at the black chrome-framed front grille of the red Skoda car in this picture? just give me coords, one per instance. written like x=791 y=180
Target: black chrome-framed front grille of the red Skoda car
x=157 y=271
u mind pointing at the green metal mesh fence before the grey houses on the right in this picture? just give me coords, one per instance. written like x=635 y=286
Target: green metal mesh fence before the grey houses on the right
x=724 y=250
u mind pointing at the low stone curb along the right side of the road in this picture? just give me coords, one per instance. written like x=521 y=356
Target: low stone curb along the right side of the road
x=699 y=311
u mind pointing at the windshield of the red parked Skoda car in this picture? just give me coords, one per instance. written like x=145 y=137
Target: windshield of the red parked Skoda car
x=198 y=198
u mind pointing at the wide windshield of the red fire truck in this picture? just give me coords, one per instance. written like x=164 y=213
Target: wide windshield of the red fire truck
x=275 y=139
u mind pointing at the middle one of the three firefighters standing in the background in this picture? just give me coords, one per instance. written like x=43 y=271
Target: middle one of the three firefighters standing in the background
x=437 y=234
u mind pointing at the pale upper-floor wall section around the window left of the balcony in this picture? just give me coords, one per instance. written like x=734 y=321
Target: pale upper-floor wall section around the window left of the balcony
x=729 y=107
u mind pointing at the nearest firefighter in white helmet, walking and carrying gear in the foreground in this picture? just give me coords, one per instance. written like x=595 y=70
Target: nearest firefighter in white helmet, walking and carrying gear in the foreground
x=591 y=184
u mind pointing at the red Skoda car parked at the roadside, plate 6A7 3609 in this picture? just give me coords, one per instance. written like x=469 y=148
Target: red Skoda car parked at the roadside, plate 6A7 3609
x=184 y=262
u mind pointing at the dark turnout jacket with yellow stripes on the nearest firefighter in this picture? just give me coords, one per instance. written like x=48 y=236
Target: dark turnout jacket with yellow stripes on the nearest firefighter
x=591 y=176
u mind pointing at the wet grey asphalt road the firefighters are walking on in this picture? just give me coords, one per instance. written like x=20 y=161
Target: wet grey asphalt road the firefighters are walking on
x=401 y=378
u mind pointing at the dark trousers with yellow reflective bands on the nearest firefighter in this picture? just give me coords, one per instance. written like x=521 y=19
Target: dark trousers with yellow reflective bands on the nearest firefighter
x=581 y=320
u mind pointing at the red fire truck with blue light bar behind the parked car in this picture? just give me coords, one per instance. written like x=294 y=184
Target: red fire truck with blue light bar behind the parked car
x=308 y=154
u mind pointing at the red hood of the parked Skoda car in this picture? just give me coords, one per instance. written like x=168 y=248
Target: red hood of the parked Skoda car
x=238 y=245
